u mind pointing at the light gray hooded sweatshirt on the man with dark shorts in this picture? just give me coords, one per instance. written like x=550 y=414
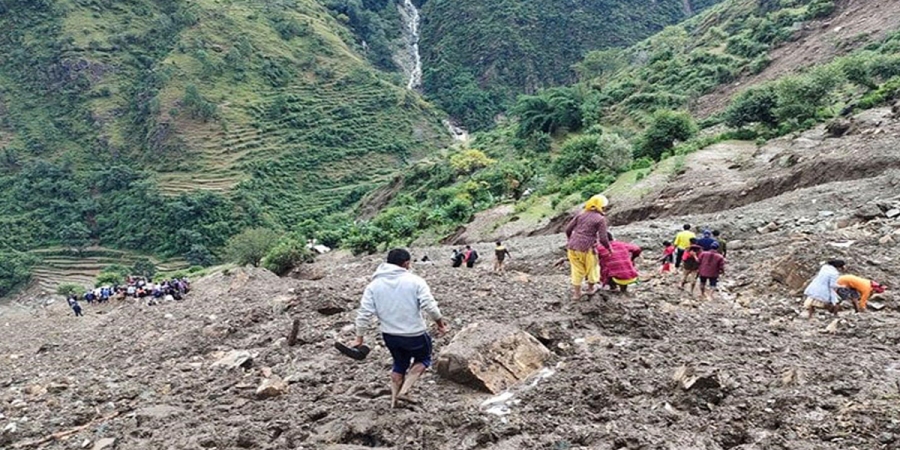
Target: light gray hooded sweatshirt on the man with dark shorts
x=397 y=298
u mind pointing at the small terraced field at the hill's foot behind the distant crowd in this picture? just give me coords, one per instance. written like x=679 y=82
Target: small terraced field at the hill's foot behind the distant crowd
x=58 y=266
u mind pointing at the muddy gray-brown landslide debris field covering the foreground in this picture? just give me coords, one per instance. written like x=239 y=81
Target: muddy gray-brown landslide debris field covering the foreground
x=658 y=369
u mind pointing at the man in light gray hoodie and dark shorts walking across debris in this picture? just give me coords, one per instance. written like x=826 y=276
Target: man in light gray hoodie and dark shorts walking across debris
x=398 y=298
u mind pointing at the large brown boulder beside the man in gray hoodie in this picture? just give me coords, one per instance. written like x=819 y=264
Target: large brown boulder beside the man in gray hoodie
x=491 y=356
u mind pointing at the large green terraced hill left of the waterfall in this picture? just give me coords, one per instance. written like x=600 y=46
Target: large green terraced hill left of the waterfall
x=160 y=125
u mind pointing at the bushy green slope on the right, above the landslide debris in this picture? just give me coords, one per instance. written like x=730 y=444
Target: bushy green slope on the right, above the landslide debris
x=632 y=111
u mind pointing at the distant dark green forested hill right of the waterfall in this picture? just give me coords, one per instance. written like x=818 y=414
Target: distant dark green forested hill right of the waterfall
x=479 y=54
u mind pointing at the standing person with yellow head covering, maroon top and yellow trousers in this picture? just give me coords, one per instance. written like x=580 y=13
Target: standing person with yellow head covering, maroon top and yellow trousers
x=583 y=233
